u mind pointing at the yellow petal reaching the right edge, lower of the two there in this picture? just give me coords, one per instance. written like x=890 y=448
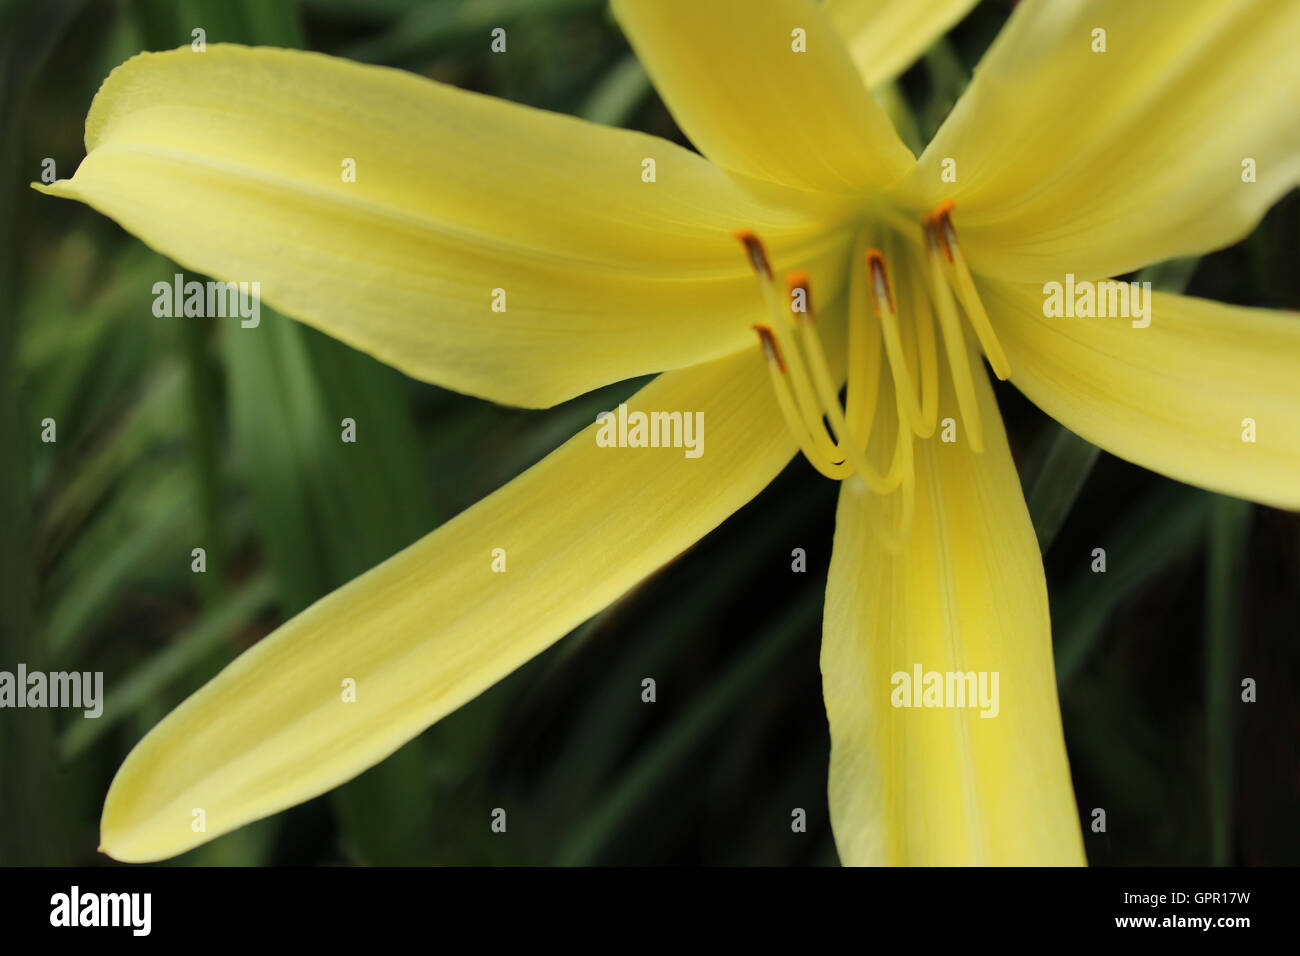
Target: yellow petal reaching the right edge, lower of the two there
x=1177 y=397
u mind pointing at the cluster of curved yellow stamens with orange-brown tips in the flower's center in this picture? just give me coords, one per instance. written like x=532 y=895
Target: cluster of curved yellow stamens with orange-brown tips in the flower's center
x=861 y=438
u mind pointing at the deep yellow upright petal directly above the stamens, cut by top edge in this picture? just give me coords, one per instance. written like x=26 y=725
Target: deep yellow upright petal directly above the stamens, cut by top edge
x=734 y=80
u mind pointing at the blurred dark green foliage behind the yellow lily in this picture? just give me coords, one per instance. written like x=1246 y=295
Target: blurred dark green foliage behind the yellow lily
x=175 y=434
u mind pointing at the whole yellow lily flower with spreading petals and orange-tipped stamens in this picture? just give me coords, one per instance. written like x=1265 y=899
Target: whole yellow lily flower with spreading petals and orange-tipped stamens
x=1058 y=161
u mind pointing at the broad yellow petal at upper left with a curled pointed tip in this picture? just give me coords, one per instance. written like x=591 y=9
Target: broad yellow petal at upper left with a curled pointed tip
x=235 y=163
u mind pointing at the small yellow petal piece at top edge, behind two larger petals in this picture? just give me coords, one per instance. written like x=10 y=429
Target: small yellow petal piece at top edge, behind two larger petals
x=886 y=36
